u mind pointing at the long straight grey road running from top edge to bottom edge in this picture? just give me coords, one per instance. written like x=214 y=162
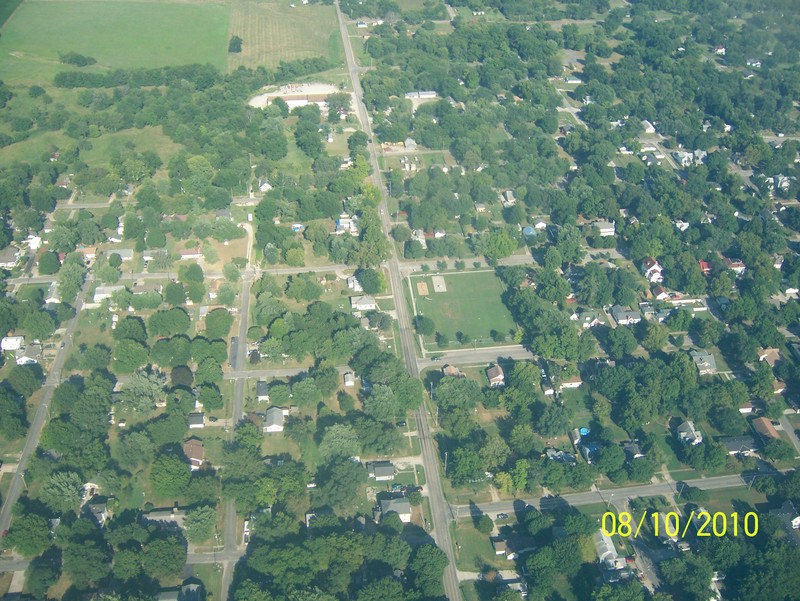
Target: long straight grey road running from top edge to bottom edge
x=439 y=508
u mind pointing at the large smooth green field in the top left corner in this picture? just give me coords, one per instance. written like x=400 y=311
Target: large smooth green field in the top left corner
x=118 y=33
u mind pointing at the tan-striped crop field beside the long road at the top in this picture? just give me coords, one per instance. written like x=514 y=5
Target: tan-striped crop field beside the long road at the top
x=272 y=31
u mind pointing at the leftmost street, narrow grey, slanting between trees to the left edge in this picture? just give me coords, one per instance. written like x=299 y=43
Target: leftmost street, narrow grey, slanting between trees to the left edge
x=42 y=412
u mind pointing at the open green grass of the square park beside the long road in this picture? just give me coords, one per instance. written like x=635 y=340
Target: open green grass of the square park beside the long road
x=461 y=309
